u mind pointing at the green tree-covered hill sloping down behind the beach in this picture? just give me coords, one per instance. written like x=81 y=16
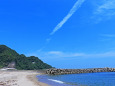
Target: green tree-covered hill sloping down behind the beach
x=10 y=58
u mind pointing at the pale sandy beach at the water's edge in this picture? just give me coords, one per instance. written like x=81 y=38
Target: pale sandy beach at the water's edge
x=20 y=78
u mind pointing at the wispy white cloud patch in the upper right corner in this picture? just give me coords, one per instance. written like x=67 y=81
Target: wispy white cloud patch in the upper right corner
x=106 y=9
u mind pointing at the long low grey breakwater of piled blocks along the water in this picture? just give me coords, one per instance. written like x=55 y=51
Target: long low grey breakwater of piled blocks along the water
x=78 y=71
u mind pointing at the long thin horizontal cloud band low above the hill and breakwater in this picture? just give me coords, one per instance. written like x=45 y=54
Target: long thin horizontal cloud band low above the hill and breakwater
x=60 y=54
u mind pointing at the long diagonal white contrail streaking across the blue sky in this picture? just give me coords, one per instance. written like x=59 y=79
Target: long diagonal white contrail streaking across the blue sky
x=71 y=12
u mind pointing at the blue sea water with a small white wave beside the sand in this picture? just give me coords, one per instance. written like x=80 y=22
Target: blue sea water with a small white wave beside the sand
x=86 y=79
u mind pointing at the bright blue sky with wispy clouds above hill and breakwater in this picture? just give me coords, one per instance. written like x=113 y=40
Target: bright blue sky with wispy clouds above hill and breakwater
x=62 y=33
